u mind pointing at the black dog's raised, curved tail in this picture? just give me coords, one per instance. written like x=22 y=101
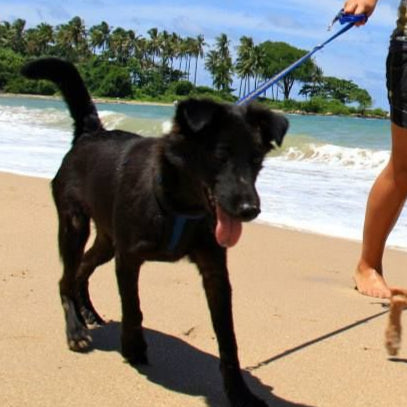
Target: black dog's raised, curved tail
x=67 y=78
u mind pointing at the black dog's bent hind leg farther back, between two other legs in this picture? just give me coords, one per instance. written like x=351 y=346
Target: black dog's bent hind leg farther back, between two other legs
x=101 y=252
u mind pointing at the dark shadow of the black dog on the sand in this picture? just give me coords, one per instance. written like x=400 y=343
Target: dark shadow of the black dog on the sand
x=180 y=367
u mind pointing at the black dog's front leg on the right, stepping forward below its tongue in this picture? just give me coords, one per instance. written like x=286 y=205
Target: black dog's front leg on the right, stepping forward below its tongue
x=212 y=266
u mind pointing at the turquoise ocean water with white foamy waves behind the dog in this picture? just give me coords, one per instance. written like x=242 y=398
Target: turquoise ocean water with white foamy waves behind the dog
x=317 y=182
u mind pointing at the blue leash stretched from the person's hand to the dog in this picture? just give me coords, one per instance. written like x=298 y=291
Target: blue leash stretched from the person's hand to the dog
x=350 y=19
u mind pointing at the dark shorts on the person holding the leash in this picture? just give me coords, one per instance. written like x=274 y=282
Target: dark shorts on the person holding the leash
x=396 y=74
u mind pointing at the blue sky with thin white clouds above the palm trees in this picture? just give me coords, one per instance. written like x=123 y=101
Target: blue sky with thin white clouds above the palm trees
x=357 y=55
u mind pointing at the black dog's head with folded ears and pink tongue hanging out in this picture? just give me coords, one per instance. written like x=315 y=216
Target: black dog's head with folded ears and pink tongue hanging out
x=232 y=142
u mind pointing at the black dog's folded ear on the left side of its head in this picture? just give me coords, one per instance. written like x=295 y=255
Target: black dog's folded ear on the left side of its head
x=193 y=115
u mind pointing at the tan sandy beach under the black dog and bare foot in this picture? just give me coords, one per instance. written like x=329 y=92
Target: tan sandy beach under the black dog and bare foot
x=306 y=338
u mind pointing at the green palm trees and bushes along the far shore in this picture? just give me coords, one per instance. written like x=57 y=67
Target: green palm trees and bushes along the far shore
x=163 y=67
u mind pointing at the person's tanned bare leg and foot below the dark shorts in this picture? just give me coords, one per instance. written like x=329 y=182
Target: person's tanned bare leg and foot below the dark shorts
x=386 y=199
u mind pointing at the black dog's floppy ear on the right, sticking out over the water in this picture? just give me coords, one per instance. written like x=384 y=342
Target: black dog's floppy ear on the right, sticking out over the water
x=273 y=126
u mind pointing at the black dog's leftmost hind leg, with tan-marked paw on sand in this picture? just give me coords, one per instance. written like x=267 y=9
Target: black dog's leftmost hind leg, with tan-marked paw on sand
x=72 y=236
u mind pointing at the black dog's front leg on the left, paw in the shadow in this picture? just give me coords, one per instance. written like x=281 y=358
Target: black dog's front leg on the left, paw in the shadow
x=134 y=347
